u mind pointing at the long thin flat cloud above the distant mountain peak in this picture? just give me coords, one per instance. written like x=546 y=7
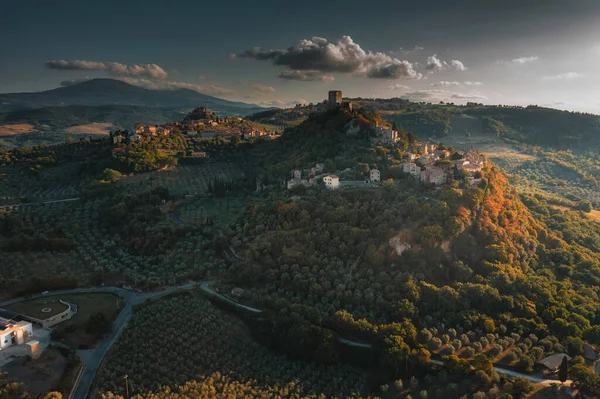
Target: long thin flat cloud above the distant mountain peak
x=150 y=71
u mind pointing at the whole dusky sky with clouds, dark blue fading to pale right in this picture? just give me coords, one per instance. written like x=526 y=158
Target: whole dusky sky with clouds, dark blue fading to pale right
x=279 y=53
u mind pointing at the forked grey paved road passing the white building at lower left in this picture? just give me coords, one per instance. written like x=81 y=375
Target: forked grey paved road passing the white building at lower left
x=91 y=365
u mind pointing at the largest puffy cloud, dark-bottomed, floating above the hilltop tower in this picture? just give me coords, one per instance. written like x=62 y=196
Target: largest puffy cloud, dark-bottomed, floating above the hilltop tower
x=345 y=56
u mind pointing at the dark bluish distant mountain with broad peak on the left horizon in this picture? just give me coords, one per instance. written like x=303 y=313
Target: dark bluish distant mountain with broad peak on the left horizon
x=97 y=92
